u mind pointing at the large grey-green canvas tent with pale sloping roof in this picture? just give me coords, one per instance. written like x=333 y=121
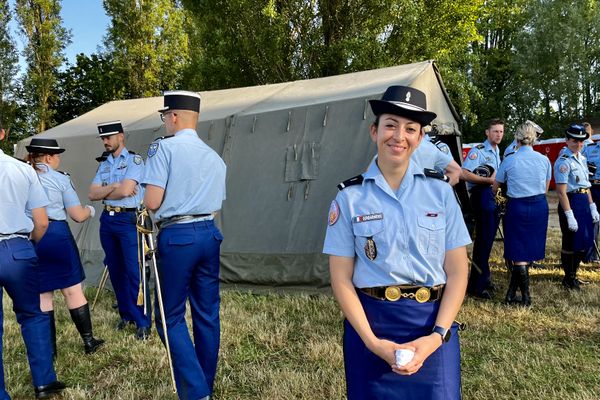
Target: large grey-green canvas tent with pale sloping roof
x=286 y=147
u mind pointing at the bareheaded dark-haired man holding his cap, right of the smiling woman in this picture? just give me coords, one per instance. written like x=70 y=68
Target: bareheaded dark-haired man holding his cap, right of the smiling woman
x=479 y=171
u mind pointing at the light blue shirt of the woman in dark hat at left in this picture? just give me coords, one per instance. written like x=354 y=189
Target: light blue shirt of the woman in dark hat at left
x=59 y=190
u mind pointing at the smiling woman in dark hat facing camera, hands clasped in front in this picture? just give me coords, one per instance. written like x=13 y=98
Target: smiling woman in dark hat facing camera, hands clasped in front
x=396 y=243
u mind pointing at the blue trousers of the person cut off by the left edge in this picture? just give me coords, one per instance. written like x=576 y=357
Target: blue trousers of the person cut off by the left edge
x=18 y=275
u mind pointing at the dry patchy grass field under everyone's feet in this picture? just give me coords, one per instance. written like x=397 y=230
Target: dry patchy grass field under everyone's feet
x=288 y=346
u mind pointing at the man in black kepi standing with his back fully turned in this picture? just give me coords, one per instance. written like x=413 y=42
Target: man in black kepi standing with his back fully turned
x=184 y=185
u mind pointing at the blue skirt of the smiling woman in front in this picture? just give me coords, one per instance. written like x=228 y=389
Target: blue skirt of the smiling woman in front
x=369 y=377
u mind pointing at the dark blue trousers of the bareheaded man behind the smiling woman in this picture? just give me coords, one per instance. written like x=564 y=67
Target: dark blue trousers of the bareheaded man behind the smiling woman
x=486 y=224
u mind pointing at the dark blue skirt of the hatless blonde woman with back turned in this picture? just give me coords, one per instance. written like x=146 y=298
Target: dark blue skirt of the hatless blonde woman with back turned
x=525 y=228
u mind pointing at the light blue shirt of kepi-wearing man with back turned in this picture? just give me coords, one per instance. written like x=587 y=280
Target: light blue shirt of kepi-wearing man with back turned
x=192 y=174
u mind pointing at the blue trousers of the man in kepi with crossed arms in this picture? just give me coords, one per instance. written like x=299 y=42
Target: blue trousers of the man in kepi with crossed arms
x=118 y=236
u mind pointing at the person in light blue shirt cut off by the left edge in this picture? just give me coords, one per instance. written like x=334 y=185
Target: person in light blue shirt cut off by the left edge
x=21 y=191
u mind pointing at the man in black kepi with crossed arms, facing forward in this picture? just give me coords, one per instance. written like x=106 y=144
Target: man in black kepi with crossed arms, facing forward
x=117 y=184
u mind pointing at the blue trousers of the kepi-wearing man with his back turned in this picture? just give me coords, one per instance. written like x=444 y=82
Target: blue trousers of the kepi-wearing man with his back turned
x=189 y=270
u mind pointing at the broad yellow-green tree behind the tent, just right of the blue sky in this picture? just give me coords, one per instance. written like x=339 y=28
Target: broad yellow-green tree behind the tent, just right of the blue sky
x=147 y=43
